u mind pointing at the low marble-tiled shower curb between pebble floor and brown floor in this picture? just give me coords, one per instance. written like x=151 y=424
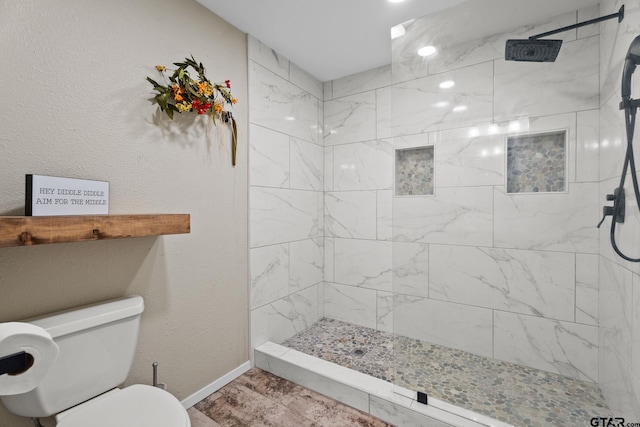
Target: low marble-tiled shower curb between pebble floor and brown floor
x=388 y=402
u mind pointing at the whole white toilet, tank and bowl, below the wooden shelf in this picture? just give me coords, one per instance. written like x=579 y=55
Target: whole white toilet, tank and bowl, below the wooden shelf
x=97 y=344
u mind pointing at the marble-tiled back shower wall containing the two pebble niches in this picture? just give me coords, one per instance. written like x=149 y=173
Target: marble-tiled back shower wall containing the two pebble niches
x=472 y=267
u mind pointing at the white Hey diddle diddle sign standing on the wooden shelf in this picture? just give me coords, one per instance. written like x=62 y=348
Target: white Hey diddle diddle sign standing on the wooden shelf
x=52 y=195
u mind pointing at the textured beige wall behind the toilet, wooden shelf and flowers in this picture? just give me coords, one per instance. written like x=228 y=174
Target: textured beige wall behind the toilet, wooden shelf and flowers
x=74 y=103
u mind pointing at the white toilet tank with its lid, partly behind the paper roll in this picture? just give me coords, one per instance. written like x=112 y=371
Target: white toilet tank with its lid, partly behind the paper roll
x=97 y=345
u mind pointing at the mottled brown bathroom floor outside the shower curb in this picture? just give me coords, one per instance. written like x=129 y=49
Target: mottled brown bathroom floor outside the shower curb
x=258 y=398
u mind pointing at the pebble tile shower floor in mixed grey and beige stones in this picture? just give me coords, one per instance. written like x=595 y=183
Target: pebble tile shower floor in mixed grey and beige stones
x=505 y=391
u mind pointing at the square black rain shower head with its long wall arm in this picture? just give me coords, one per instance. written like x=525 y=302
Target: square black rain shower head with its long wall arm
x=536 y=49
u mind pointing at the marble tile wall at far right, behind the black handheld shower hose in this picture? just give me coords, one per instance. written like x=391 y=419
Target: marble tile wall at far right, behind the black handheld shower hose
x=619 y=280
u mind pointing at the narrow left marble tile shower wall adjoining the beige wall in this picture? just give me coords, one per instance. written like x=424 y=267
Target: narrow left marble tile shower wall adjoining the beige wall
x=286 y=217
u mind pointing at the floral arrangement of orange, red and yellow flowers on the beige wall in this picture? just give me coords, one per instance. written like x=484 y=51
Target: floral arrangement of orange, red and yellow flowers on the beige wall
x=184 y=94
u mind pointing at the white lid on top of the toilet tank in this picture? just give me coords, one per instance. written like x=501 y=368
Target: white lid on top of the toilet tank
x=75 y=319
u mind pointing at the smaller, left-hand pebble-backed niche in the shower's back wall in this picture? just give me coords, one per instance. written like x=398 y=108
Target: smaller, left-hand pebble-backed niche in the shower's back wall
x=414 y=171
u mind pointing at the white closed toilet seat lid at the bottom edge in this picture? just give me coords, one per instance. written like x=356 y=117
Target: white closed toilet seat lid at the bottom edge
x=137 y=405
